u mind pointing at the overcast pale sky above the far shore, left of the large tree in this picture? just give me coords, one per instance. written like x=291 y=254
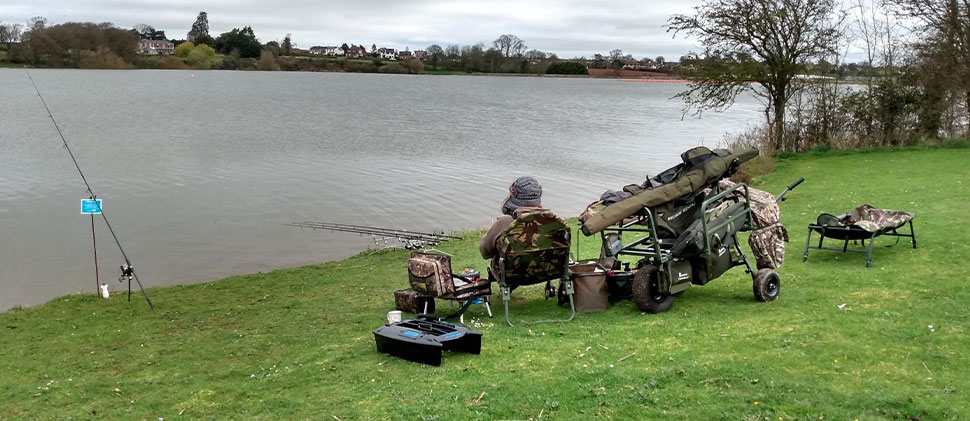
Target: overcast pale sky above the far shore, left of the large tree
x=566 y=27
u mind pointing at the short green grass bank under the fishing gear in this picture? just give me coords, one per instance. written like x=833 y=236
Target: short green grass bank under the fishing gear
x=842 y=342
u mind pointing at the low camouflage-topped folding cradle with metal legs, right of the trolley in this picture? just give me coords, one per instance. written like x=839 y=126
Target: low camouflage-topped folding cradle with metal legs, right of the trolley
x=860 y=224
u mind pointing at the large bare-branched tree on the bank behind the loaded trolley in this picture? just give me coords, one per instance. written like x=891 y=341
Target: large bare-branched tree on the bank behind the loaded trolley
x=758 y=46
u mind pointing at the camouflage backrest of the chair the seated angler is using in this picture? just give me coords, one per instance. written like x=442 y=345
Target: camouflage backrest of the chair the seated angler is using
x=535 y=248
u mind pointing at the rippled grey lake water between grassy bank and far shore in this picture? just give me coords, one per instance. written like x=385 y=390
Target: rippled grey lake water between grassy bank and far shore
x=200 y=170
